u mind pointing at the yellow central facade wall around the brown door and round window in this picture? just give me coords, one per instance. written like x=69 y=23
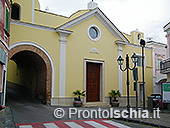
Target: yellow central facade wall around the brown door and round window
x=78 y=48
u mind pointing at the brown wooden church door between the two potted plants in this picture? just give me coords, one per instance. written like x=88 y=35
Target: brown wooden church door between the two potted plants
x=93 y=82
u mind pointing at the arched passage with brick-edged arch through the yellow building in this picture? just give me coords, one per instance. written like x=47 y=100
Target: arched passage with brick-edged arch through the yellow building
x=34 y=71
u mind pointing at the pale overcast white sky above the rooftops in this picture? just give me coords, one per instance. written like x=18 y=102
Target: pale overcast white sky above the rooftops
x=148 y=16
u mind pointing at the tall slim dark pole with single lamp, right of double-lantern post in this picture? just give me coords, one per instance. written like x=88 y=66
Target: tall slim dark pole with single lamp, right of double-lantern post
x=142 y=42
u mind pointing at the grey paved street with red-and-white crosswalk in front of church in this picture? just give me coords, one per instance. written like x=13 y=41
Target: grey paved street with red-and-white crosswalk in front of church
x=30 y=112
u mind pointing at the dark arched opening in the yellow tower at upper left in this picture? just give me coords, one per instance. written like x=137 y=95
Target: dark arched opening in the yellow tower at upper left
x=15 y=11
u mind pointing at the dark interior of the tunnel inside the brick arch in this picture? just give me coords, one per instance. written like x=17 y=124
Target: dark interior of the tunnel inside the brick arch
x=31 y=75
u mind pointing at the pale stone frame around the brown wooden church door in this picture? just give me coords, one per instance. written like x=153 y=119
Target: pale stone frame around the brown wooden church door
x=102 y=78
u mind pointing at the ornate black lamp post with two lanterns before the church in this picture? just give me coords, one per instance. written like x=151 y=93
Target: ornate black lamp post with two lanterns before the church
x=120 y=62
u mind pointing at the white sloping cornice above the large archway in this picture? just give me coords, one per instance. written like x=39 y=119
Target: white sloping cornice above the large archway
x=29 y=25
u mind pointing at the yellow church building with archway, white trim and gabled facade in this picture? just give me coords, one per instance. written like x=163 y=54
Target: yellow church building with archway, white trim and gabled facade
x=52 y=55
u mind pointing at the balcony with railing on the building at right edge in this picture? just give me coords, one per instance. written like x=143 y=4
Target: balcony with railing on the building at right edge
x=165 y=66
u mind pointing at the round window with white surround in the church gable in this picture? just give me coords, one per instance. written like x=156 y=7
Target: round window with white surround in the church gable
x=94 y=32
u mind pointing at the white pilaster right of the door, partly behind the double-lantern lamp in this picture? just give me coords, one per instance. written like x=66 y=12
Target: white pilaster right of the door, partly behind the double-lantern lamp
x=120 y=51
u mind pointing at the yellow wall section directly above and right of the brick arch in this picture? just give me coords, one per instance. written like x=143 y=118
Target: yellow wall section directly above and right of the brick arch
x=50 y=42
